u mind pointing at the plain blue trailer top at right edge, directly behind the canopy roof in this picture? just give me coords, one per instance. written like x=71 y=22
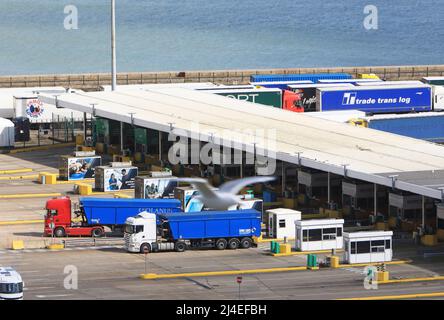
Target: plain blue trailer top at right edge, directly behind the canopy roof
x=430 y=128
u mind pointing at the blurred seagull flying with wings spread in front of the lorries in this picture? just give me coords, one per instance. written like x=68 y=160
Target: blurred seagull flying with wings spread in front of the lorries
x=226 y=196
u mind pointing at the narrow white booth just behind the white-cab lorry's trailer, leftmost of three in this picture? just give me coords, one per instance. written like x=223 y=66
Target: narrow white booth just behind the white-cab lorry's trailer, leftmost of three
x=281 y=222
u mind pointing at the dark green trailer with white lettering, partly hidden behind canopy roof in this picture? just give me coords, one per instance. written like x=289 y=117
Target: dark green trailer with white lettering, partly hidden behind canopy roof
x=266 y=96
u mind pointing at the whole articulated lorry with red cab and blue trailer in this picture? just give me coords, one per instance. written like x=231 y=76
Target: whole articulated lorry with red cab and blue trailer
x=91 y=215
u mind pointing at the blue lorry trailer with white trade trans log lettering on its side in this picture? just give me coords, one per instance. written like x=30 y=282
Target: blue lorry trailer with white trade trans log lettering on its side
x=376 y=100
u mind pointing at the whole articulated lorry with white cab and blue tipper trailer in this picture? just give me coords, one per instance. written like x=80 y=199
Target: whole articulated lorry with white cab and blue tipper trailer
x=148 y=232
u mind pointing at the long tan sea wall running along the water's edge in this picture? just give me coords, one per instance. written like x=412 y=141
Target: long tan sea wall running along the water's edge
x=95 y=81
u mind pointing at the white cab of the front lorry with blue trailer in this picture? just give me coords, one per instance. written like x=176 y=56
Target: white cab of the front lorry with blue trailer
x=140 y=232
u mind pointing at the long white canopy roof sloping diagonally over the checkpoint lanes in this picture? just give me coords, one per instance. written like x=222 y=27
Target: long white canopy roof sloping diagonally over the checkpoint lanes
x=356 y=152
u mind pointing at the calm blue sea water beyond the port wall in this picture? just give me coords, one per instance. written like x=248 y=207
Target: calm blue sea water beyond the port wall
x=226 y=34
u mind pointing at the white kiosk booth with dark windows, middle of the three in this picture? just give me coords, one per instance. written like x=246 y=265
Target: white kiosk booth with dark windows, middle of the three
x=320 y=234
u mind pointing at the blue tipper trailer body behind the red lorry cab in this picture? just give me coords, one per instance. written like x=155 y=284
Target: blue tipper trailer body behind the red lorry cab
x=116 y=211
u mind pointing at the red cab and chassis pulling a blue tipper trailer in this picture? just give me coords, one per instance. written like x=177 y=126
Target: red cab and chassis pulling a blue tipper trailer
x=59 y=213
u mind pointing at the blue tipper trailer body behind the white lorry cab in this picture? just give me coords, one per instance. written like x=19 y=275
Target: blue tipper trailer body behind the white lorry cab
x=214 y=224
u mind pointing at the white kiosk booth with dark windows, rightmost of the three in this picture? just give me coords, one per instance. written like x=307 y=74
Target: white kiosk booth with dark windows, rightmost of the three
x=368 y=246
